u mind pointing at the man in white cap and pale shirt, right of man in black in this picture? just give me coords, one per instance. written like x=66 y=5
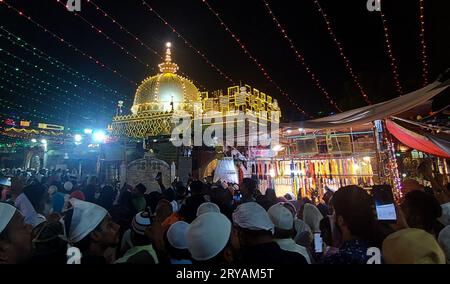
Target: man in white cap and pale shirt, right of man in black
x=283 y=219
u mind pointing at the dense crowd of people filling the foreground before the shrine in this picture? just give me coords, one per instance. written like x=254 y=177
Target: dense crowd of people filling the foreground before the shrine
x=54 y=218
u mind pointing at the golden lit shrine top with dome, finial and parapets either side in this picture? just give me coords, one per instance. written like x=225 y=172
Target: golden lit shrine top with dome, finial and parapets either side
x=161 y=96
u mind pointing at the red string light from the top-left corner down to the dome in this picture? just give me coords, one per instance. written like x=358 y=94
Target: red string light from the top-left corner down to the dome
x=63 y=41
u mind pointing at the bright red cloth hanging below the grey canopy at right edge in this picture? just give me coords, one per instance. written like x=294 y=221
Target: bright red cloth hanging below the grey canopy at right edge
x=415 y=140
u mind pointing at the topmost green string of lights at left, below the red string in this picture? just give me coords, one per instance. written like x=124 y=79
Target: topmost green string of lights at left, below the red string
x=58 y=64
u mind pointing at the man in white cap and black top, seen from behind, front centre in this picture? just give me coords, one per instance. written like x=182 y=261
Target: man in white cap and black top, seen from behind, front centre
x=253 y=237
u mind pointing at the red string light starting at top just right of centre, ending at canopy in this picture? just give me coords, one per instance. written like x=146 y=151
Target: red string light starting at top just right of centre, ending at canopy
x=301 y=58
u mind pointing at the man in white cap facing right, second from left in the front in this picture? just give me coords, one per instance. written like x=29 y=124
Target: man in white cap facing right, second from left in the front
x=90 y=228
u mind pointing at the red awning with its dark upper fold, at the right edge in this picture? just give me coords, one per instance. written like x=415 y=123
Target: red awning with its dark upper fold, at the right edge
x=425 y=143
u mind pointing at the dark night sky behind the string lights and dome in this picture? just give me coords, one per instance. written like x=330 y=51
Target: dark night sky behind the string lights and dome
x=71 y=101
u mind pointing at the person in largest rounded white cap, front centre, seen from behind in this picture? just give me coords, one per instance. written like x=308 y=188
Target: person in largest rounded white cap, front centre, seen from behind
x=208 y=239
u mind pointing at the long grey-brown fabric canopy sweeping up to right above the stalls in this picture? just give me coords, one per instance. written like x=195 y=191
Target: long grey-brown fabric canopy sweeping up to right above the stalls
x=378 y=111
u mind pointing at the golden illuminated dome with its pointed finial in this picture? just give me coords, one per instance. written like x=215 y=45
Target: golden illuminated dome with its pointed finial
x=166 y=91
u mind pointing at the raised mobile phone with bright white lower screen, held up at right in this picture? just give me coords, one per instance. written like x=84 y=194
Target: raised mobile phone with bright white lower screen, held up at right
x=384 y=203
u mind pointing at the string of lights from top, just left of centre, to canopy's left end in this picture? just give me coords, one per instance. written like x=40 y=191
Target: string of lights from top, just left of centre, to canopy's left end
x=245 y=50
